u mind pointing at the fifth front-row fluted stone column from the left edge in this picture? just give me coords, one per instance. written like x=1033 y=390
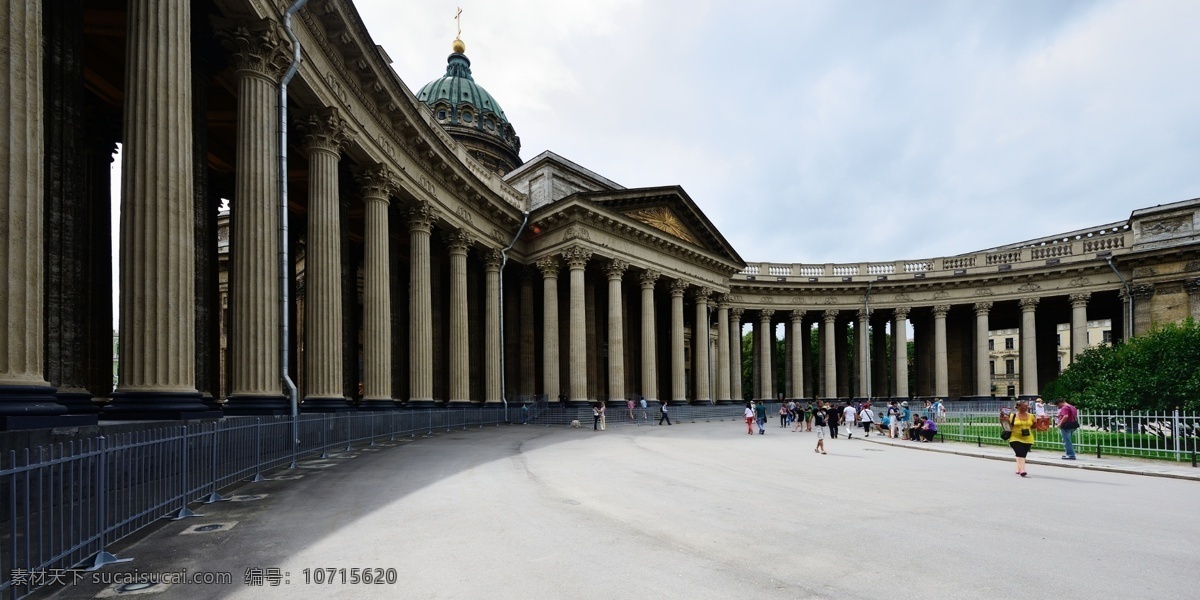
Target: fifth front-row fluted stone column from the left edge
x=376 y=184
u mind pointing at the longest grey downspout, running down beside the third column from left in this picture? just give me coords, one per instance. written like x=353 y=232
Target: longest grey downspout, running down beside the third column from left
x=284 y=229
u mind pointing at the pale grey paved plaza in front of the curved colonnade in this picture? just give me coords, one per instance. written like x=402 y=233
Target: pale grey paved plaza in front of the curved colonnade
x=694 y=511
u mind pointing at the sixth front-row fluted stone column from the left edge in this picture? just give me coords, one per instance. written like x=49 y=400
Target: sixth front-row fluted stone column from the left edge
x=421 y=307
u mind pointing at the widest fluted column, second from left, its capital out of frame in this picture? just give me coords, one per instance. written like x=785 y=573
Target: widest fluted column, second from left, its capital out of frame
x=158 y=349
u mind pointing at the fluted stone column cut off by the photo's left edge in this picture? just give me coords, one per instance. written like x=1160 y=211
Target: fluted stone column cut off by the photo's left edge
x=25 y=391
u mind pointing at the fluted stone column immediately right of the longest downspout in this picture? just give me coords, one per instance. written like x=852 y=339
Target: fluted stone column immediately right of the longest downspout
x=325 y=135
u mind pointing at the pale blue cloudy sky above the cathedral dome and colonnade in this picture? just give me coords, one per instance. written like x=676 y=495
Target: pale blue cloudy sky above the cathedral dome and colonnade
x=844 y=131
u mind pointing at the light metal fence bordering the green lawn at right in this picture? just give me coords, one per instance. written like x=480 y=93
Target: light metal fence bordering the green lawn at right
x=1145 y=435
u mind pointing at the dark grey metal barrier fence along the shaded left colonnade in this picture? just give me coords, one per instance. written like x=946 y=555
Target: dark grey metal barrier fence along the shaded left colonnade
x=62 y=507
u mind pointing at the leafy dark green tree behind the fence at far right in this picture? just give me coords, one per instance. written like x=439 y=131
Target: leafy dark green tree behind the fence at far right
x=1160 y=371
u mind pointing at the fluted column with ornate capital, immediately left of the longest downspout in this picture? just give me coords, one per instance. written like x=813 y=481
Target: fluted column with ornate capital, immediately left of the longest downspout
x=260 y=58
